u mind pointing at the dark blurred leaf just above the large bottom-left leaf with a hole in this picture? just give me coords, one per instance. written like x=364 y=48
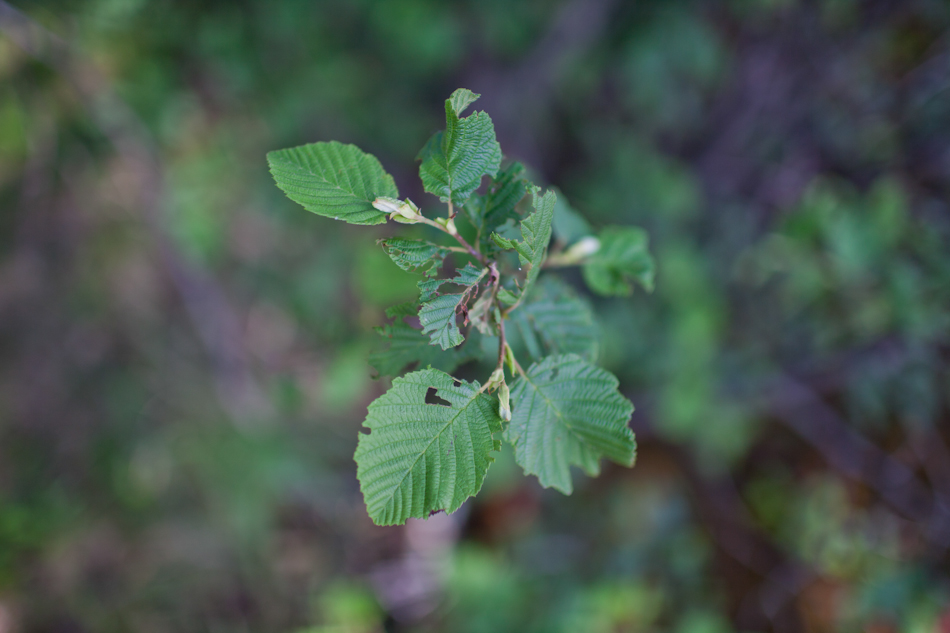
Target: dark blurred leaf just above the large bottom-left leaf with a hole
x=409 y=346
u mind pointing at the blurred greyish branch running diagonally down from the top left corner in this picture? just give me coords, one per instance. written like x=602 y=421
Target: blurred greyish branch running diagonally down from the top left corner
x=214 y=319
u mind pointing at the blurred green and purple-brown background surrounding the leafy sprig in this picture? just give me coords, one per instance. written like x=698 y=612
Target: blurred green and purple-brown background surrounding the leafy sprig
x=183 y=350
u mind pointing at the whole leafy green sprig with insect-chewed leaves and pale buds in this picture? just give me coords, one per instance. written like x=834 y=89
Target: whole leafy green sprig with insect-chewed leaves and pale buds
x=431 y=436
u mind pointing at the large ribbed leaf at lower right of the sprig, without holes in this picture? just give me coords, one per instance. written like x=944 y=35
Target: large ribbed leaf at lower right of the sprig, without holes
x=568 y=412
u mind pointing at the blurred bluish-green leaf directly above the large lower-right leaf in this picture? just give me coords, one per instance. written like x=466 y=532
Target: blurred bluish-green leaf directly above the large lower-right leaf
x=554 y=320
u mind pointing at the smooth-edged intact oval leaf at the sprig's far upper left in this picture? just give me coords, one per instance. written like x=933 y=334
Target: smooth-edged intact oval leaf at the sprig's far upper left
x=334 y=180
